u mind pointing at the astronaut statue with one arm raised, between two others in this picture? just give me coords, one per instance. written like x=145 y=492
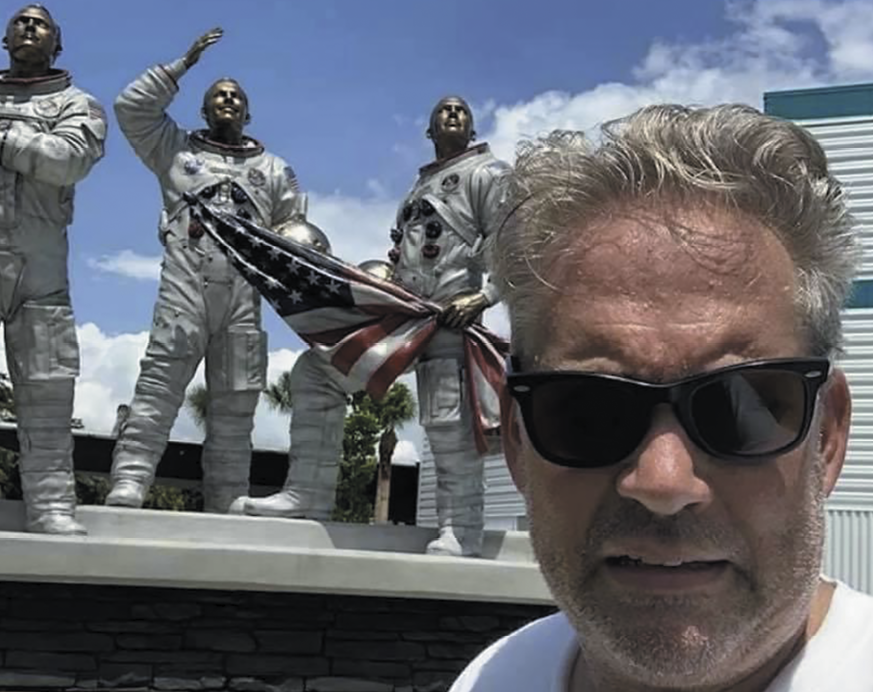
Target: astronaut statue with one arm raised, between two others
x=204 y=307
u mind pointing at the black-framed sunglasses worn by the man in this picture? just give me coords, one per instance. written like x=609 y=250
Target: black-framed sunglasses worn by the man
x=739 y=413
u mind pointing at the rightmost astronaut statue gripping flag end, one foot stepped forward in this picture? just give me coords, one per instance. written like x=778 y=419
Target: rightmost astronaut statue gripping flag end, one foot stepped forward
x=439 y=253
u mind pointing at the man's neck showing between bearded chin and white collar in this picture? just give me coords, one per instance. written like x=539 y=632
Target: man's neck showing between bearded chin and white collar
x=588 y=677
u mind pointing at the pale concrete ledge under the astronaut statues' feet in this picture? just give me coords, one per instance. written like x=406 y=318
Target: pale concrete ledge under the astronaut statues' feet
x=187 y=550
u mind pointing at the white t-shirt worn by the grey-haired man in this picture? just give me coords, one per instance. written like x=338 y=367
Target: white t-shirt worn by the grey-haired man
x=539 y=657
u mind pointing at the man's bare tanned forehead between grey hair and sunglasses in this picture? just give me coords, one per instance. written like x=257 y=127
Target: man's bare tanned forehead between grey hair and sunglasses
x=704 y=273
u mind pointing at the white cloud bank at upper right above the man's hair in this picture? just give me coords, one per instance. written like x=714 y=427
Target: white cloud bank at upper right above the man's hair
x=771 y=47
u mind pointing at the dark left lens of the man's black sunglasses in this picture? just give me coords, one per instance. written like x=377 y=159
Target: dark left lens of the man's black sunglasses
x=587 y=422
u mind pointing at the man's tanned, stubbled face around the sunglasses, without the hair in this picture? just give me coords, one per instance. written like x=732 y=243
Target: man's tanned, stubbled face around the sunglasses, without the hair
x=659 y=298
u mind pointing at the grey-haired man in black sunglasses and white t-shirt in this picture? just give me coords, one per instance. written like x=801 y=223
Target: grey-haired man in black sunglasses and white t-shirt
x=672 y=414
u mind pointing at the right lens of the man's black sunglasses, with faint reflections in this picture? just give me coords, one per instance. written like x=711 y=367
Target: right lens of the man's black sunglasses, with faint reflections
x=751 y=413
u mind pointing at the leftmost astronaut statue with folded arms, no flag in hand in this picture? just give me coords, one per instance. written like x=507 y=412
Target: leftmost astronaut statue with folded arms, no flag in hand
x=51 y=134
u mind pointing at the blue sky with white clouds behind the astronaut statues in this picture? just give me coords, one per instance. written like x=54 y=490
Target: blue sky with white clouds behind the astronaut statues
x=342 y=88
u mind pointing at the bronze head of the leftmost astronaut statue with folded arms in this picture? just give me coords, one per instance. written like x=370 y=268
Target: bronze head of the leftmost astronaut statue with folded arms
x=33 y=41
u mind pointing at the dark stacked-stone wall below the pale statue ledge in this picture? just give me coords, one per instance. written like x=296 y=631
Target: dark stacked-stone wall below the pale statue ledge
x=84 y=637
